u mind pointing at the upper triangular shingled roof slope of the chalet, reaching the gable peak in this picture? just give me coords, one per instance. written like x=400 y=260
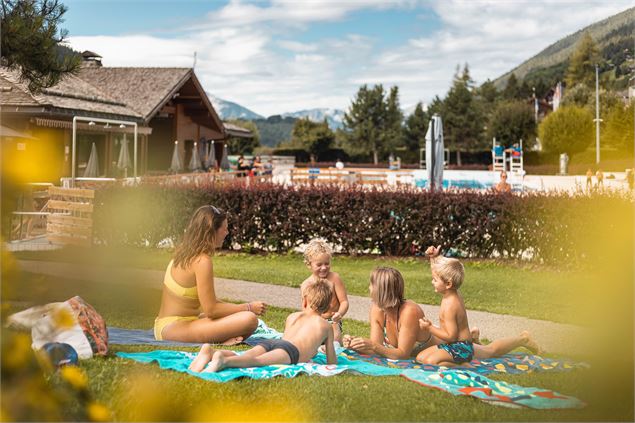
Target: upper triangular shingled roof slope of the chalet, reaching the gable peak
x=142 y=89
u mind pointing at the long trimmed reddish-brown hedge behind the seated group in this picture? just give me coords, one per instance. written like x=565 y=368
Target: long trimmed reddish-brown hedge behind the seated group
x=270 y=217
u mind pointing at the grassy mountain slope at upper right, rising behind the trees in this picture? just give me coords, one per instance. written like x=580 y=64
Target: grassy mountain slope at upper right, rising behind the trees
x=614 y=37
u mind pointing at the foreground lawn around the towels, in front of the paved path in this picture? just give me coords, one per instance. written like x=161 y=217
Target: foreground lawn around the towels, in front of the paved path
x=138 y=392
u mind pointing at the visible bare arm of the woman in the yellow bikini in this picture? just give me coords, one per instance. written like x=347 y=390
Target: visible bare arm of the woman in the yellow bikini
x=211 y=307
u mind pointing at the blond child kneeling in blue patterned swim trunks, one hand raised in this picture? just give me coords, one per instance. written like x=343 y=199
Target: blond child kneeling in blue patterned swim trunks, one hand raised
x=454 y=332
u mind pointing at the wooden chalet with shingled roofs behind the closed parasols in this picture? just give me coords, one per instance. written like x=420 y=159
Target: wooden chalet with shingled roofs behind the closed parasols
x=167 y=104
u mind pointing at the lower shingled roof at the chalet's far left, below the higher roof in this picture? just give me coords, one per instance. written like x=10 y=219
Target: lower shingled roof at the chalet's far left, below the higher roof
x=70 y=93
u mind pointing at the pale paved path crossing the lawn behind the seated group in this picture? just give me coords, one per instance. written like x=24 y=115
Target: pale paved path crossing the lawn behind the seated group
x=554 y=337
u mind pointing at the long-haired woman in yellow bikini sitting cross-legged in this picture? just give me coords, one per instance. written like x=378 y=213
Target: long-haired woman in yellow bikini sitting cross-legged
x=190 y=311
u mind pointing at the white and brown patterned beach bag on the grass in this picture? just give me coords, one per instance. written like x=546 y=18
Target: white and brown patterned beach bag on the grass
x=73 y=322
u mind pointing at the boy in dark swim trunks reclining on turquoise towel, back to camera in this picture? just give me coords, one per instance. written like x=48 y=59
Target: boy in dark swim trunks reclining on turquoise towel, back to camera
x=304 y=332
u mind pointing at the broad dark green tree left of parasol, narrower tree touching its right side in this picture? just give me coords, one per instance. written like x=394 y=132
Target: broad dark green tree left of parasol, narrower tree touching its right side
x=365 y=122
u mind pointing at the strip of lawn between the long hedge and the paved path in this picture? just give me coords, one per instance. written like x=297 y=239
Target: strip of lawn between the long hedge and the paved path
x=514 y=288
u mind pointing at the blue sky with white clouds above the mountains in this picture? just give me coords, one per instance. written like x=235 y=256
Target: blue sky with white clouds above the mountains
x=282 y=56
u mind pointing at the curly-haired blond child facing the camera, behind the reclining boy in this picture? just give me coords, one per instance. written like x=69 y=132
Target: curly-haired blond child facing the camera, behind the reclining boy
x=317 y=258
